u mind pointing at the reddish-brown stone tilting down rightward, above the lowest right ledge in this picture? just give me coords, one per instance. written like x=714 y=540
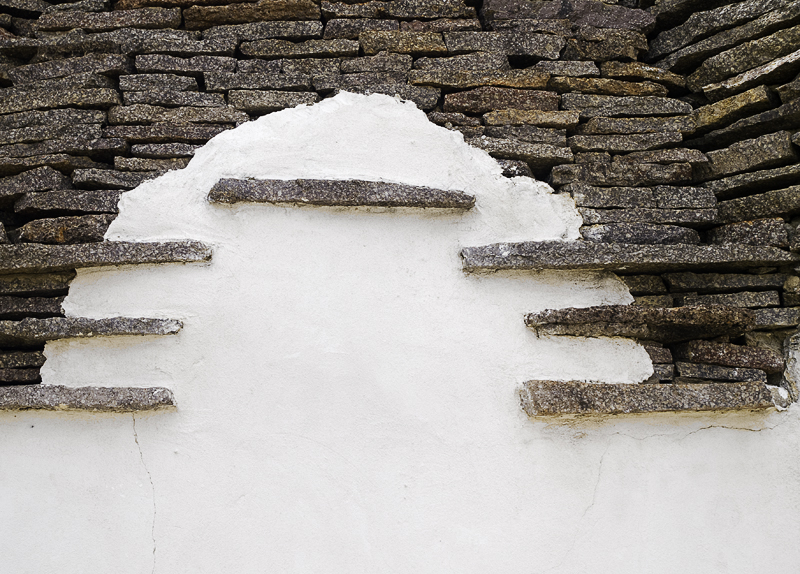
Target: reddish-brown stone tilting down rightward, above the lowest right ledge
x=729 y=355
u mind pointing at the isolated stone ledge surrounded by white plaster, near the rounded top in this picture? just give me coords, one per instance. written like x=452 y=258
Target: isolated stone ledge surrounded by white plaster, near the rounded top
x=333 y=193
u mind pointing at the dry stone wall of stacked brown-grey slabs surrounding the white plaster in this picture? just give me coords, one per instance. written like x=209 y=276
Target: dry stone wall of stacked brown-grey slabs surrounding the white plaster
x=673 y=124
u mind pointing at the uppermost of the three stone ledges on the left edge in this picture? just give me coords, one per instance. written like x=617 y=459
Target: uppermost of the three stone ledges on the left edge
x=34 y=258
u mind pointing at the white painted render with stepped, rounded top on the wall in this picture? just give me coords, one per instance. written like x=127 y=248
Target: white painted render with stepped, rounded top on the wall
x=347 y=395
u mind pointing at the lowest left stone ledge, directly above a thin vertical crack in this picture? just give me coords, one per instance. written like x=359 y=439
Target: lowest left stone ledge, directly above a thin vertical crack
x=93 y=399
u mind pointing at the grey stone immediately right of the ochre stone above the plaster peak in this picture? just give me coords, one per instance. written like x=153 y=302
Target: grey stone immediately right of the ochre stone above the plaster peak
x=546 y=46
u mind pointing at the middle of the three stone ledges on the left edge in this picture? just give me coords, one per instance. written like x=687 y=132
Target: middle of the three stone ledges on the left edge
x=36 y=331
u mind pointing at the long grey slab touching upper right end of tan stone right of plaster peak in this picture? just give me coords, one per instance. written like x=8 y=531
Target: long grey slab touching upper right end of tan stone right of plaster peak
x=614 y=106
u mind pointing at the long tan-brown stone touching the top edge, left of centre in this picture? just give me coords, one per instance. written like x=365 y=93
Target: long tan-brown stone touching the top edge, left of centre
x=201 y=17
